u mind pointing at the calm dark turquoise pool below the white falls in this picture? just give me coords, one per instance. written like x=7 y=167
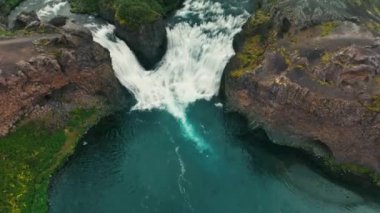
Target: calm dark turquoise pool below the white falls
x=145 y=162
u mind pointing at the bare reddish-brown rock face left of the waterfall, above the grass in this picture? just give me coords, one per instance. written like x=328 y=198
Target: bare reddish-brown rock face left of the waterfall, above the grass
x=54 y=74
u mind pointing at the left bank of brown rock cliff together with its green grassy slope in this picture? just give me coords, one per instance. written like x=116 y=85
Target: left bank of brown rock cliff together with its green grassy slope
x=55 y=83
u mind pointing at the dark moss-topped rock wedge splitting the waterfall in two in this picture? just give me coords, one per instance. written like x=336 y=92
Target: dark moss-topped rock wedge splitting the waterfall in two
x=140 y=23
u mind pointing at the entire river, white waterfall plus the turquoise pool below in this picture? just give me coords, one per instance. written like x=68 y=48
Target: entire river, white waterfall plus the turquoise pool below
x=177 y=150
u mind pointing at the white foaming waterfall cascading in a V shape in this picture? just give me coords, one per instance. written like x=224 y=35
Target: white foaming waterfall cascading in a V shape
x=197 y=53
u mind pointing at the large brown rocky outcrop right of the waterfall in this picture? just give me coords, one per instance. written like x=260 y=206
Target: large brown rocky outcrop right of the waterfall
x=308 y=72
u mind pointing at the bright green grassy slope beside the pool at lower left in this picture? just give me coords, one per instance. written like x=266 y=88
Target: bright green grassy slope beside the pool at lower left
x=31 y=154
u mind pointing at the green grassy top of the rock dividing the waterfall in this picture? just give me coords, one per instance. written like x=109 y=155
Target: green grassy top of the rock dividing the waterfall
x=128 y=12
